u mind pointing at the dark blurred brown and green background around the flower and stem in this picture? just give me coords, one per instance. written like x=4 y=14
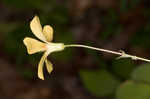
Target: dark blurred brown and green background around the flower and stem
x=78 y=73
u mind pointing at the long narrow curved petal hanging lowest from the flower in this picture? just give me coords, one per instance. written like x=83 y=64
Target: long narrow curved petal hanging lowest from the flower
x=40 y=66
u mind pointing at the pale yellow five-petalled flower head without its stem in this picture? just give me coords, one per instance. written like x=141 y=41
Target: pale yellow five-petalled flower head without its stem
x=33 y=45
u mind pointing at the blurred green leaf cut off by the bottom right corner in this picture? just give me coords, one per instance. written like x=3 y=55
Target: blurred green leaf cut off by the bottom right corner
x=132 y=90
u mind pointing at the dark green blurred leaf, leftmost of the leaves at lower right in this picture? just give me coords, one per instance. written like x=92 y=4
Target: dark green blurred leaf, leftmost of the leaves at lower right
x=99 y=83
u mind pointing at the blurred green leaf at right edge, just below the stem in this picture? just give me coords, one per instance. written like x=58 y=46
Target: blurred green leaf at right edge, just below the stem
x=142 y=73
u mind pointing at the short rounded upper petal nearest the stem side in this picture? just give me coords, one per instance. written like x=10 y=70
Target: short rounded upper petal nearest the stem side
x=48 y=32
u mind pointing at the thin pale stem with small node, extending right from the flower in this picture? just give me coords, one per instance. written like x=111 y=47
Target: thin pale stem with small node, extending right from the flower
x=122 y=54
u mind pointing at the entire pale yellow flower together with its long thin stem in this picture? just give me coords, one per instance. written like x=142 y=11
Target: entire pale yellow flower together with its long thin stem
x=46 y=46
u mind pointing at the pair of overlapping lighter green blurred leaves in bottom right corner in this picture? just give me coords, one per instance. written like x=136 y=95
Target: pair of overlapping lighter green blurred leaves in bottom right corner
x=139 y=85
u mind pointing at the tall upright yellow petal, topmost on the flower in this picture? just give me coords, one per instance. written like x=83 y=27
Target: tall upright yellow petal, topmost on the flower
x=36 y=28
